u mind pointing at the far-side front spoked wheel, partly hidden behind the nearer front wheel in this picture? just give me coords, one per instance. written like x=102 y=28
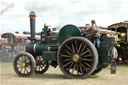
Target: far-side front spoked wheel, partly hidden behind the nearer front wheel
x=41 y=65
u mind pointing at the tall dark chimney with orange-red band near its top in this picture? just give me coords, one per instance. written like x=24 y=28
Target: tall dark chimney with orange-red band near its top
x=32 y=16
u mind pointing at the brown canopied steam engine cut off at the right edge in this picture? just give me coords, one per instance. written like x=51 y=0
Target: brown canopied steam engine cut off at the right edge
x=122 y=40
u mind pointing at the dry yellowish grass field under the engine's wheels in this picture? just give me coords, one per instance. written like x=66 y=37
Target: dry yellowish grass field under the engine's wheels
x=56 y=77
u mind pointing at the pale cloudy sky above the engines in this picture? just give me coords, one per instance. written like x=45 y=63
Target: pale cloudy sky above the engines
x=14 y=13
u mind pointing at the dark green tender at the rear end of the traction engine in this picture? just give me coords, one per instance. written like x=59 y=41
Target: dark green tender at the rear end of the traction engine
x=105 y=51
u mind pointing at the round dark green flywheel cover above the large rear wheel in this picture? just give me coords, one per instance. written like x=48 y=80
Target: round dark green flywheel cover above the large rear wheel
x=68 y=31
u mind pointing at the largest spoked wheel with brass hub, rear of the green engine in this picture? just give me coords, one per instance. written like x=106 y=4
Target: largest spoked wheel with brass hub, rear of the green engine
x=77 y=57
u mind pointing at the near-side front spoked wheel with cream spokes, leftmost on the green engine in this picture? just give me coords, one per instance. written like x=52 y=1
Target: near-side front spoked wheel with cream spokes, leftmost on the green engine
x=24 y=64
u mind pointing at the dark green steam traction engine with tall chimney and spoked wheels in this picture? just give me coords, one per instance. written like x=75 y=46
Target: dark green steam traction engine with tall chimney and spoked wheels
x=76 y=55
